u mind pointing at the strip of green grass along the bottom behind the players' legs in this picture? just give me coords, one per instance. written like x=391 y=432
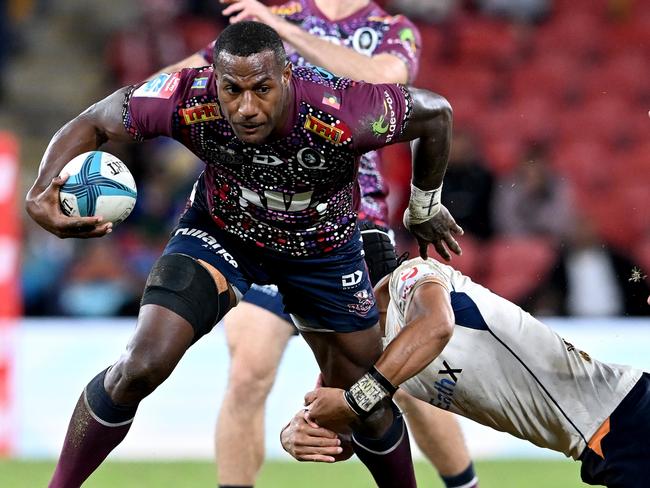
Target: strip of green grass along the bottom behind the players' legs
x=494 y=474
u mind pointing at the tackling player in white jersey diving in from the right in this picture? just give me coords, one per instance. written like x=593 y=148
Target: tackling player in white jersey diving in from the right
x=501 y=368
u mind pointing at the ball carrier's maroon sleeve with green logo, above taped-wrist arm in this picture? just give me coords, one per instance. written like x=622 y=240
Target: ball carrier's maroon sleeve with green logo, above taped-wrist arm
x=377 y=114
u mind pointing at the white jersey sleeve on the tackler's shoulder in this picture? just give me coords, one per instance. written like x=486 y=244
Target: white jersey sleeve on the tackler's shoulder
x=408 y=278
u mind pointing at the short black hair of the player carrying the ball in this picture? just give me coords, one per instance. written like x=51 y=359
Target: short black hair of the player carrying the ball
x=247 y=38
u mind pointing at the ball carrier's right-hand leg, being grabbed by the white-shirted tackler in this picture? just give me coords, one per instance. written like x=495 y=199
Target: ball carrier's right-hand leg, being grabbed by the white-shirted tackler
x=332 y=302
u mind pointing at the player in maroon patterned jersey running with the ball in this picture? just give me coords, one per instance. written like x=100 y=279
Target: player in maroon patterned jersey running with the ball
x=276 y=203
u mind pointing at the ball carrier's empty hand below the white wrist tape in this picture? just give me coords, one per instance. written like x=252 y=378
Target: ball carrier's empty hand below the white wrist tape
x=439 y=231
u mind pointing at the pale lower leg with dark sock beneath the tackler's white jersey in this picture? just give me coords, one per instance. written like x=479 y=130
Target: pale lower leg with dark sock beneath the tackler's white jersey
x=440 y=439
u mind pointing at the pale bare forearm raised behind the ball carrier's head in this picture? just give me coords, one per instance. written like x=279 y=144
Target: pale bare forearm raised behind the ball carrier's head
x=342 y=60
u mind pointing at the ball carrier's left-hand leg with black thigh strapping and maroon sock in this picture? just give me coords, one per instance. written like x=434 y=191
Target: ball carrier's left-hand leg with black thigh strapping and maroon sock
x=187 y=292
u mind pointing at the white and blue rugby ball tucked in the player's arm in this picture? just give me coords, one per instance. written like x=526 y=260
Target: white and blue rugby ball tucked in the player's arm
x=99 y=184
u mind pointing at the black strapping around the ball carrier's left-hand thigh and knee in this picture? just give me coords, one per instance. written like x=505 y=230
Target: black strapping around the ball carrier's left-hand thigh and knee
x=180 y=284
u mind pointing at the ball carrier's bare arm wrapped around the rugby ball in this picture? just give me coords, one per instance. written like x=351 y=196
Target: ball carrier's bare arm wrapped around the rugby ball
x=86 y=132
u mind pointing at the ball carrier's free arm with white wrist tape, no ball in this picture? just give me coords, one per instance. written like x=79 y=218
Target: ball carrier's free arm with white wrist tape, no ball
x=430 y=131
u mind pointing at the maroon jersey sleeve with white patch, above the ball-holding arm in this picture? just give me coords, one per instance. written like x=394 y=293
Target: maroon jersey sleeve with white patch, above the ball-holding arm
x=150 y=106
